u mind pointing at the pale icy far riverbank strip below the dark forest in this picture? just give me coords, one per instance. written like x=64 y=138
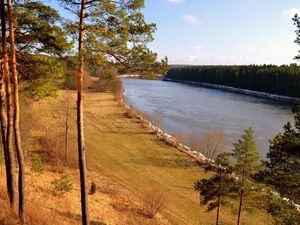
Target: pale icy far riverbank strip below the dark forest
x=238 y=90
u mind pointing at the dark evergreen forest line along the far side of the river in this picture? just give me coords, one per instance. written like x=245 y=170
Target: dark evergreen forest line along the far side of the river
x=280 y=80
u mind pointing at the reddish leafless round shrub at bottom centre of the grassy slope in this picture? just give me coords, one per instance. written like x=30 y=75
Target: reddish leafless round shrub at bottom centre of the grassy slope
x=153 y=202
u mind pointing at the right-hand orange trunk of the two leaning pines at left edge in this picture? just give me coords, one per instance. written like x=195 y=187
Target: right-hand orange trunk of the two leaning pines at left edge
x=20 y=155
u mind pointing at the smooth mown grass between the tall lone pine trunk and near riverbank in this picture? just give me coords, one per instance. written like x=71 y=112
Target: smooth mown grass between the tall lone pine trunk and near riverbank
x=119 y=148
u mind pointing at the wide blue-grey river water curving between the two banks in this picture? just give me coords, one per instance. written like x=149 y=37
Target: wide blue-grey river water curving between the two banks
x=191 y=109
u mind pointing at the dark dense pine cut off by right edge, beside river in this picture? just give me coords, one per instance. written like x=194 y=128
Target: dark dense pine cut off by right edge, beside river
x=282 y=167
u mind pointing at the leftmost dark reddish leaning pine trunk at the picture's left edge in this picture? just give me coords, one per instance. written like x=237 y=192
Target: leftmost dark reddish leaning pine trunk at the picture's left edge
x=9 y=154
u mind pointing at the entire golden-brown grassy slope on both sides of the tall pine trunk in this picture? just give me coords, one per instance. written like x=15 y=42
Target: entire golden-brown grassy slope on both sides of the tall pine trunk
x=125 y=160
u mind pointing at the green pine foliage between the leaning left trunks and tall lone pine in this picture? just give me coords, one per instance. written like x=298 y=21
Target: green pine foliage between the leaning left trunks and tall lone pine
x=40 y=41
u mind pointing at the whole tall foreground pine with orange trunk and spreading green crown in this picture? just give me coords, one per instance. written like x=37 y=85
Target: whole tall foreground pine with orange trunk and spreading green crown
x=105 y=30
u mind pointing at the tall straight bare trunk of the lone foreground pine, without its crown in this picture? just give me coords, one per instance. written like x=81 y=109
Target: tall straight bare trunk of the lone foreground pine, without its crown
x=81 y=146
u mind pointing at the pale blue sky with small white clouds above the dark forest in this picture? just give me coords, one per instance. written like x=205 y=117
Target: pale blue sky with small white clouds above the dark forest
x=224 y=31
